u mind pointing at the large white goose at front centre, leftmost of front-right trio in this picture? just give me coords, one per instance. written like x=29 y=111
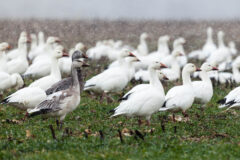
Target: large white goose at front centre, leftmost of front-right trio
x=145 y=101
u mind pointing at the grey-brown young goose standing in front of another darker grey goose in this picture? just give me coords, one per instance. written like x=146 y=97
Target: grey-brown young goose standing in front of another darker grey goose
x=60 y=103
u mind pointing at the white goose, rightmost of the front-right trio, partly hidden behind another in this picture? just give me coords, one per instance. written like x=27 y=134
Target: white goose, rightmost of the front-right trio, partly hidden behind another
x=203 y=90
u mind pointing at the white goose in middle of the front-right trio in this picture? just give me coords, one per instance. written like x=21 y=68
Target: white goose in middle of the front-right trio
x=181 y=97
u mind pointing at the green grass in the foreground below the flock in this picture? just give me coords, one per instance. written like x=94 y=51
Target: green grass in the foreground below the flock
x=209 y=134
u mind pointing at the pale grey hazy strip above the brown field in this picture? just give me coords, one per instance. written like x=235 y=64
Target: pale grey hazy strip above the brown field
x=121 y=9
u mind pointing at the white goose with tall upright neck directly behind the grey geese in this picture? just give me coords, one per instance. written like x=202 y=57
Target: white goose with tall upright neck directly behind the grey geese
x=55 y=75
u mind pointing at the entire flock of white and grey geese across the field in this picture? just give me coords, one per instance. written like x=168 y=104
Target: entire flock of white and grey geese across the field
x=50 y=95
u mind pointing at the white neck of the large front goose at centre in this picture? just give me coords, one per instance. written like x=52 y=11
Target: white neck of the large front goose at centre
x=154 y=80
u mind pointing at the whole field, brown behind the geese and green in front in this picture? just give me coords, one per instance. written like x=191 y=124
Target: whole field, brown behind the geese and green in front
x=89 y=133
